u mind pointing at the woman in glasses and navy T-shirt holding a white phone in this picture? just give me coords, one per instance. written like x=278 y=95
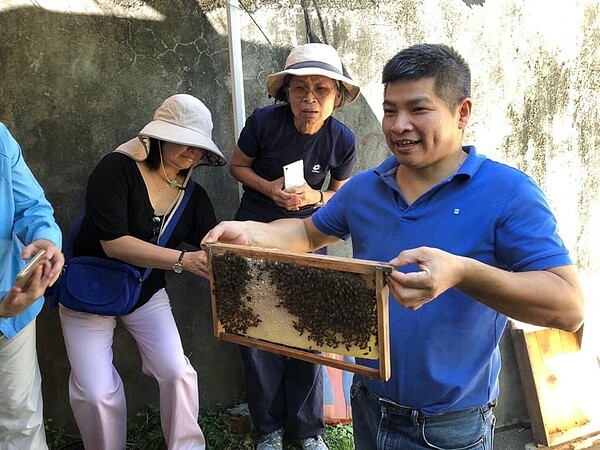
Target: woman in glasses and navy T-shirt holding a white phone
x=286 y=395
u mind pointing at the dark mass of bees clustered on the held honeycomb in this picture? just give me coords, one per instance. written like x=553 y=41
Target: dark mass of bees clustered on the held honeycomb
x=329 y=307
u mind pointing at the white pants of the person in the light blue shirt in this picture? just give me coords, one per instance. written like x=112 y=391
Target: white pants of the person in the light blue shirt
x=21 y=409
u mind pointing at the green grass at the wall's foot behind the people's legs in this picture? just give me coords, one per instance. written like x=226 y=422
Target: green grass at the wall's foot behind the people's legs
x=145 y=433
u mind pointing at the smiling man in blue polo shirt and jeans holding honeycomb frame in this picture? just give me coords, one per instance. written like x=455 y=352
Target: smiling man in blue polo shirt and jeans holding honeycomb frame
x=474 y=242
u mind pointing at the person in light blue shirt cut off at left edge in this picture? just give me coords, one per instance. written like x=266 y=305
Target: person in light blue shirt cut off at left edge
x=27 y=226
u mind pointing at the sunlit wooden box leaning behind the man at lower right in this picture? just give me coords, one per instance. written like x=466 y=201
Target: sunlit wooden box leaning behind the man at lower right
x=561 y=383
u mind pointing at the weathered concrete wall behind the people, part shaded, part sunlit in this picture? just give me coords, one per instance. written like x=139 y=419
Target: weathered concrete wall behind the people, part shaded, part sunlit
x=80 y=78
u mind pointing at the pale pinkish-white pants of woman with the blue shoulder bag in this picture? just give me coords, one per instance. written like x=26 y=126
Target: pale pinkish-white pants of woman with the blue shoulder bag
x=95 y=388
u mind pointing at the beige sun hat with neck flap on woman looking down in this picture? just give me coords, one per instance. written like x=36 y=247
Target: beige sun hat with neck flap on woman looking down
x=181 y=119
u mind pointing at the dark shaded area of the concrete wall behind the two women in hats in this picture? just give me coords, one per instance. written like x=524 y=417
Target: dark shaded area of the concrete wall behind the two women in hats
x=76 y=85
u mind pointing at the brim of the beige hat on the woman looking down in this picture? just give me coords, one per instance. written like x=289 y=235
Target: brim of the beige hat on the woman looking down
x=170 y=132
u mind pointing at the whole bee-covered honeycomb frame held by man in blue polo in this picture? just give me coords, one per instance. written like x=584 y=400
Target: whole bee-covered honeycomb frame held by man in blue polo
x=301 y=305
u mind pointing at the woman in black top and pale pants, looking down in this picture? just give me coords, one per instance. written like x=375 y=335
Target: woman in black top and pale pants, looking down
x=130 y=195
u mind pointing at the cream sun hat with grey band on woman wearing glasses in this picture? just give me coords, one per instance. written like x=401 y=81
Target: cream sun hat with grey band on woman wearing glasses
x=313 y=59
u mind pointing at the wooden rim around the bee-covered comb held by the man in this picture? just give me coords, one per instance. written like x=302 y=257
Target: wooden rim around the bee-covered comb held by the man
x=374 y=271
